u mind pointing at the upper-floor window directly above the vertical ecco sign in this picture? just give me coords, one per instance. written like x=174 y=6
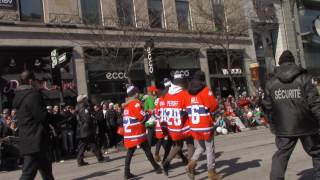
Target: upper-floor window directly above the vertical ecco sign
x=156 y=16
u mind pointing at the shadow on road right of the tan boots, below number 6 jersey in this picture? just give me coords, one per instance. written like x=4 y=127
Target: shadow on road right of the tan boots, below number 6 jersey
x=232 y=166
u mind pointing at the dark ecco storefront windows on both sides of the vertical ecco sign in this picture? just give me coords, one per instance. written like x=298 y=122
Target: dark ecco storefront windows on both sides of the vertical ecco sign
x=107 y=76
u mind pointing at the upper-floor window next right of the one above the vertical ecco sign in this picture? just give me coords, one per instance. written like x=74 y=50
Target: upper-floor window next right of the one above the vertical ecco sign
x=183 y=14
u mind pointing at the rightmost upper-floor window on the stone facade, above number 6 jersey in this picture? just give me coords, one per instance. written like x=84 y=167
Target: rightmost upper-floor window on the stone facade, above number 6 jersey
x=218 y=14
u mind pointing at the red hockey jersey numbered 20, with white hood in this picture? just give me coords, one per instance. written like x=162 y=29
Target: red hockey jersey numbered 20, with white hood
x=176 y=103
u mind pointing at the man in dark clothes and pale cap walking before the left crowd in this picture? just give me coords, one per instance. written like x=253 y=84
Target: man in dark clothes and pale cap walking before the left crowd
x=85 y=131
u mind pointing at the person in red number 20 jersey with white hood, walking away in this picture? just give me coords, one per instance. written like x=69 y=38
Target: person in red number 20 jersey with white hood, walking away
x=176 y=117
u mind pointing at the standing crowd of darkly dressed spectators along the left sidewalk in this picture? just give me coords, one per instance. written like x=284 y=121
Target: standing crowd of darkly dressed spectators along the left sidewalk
x=63 y=129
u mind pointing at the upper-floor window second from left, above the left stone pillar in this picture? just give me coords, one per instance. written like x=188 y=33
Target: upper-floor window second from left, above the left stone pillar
x=91 y=12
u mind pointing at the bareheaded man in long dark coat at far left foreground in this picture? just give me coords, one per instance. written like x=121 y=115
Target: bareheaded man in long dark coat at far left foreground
x=33 y=129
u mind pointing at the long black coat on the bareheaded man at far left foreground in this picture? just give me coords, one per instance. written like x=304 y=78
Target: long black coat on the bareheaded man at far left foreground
x=33 y=123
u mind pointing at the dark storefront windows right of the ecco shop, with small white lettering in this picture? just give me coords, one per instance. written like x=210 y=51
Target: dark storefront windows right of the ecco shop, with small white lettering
x=219 y=74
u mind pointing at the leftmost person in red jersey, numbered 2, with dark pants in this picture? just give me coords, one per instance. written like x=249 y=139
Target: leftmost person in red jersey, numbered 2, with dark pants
x=135 y=131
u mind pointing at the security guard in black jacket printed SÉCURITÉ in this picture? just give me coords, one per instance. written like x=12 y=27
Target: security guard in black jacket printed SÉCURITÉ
x=292 y=104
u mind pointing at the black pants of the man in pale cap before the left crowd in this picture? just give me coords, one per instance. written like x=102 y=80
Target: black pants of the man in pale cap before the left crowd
x=82 y=146
